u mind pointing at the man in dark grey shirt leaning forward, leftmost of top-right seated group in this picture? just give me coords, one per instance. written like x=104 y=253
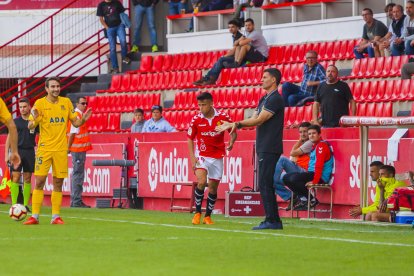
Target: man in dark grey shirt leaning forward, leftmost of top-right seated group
x=372 y=33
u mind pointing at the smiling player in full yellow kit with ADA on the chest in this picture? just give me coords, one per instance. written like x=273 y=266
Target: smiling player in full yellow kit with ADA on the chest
x=52 y=114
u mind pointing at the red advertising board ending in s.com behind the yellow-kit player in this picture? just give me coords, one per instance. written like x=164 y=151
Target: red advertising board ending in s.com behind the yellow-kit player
x=99 y=181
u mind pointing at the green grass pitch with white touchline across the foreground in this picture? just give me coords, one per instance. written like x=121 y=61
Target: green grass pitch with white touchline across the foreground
x=122 y=242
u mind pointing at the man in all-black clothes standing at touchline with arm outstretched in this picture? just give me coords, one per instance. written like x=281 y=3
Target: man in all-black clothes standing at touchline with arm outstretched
x=268 y=118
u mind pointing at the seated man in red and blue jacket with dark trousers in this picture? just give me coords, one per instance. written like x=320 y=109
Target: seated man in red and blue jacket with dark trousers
x=319 y=170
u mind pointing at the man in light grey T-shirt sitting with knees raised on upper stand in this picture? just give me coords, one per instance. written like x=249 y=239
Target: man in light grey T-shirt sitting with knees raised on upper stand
x=250 y=48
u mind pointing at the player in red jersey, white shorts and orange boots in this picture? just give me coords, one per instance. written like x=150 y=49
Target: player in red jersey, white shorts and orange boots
x=207 y=157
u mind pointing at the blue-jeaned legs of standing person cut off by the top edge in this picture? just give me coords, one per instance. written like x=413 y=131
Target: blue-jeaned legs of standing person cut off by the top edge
x=145 y=7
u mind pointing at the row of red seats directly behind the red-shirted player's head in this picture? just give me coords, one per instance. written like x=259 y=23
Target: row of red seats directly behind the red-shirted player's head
x=223 y=98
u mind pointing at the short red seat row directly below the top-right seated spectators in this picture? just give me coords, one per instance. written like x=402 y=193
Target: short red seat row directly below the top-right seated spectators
x=381 y=67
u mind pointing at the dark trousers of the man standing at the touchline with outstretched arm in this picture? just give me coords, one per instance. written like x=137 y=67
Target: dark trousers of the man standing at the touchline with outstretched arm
x=267 y=163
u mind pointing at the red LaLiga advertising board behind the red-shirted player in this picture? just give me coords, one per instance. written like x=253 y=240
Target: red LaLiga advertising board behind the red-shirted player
x=163 y=163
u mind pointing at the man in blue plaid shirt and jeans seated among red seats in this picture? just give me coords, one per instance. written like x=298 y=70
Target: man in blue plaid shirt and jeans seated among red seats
x=313 y=75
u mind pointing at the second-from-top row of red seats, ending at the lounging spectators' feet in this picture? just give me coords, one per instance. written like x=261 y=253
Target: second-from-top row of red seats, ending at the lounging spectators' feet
x=152 y=81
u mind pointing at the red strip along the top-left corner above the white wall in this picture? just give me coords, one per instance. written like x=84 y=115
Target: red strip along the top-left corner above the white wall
x=44 y=4
